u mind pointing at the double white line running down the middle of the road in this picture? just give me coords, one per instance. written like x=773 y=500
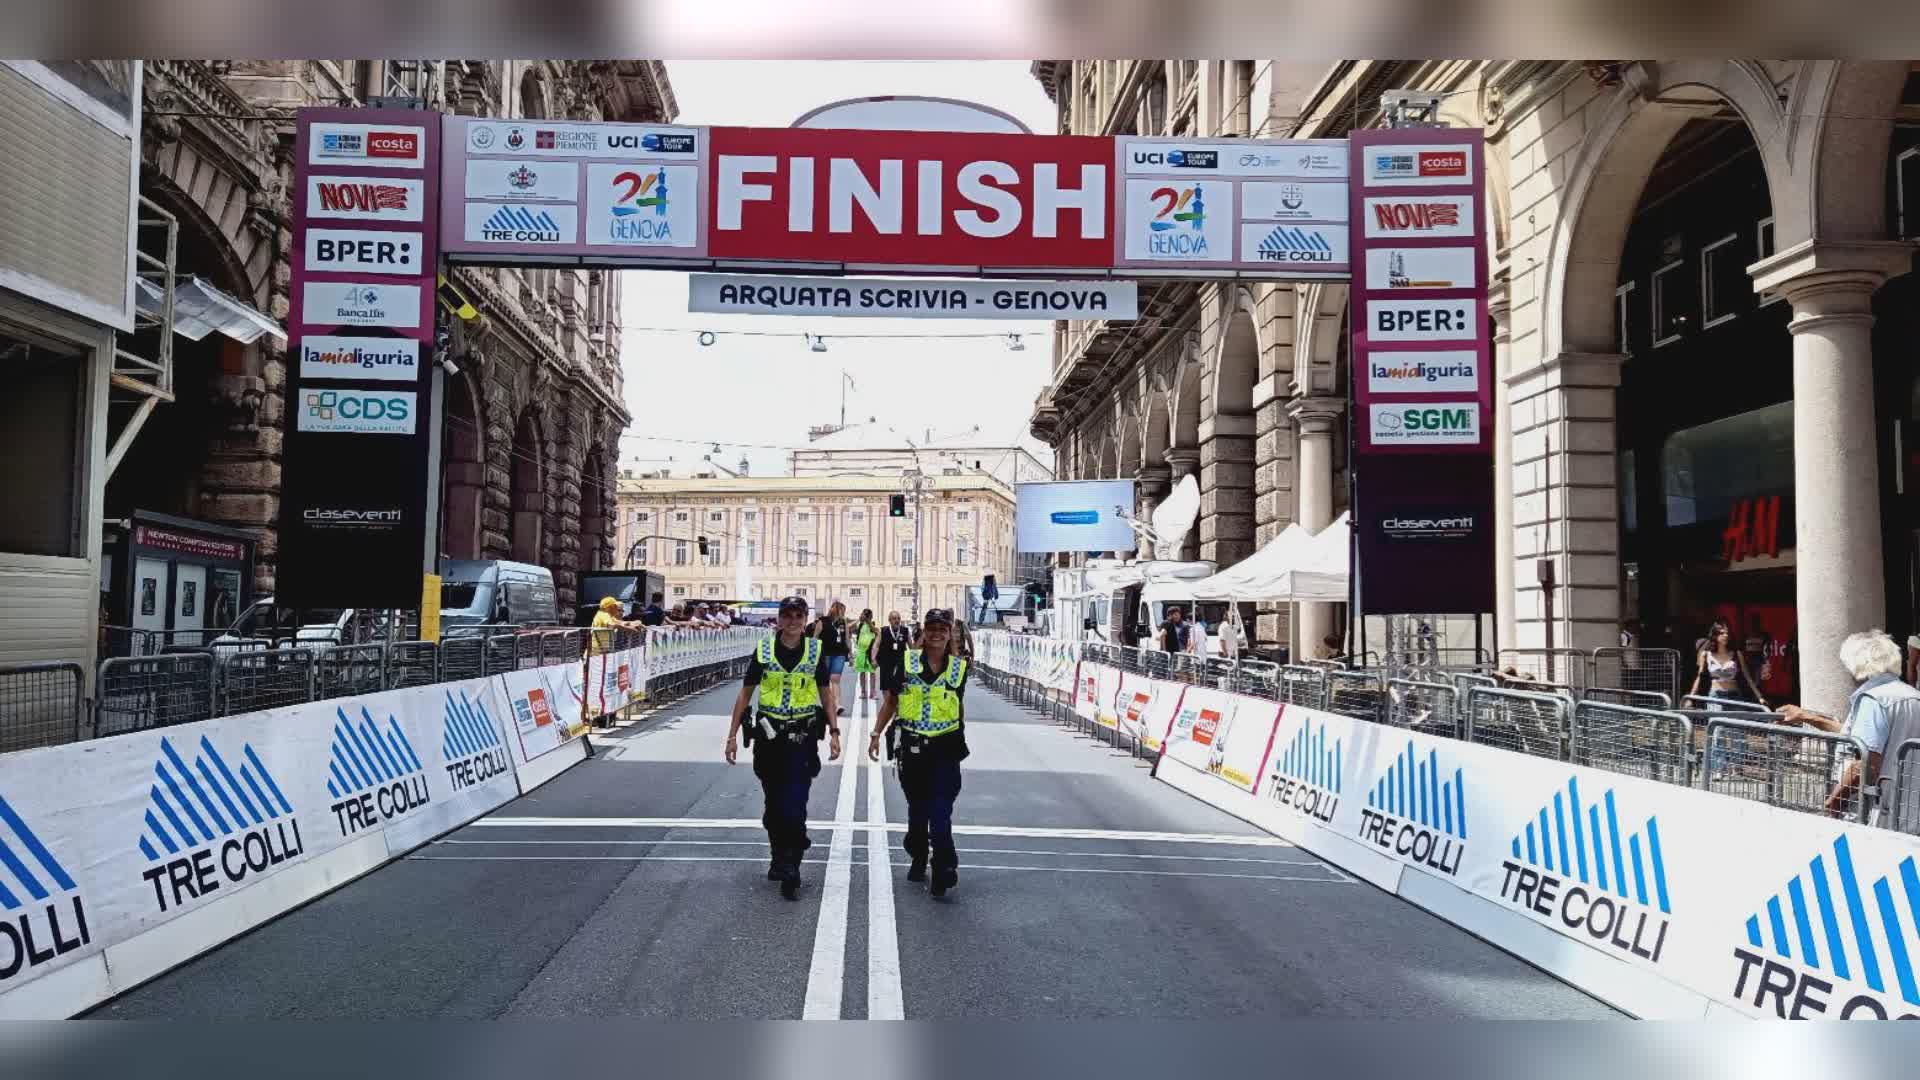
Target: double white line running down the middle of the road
x=828 y=975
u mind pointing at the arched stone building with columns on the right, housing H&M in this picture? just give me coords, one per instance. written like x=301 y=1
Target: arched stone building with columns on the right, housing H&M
x=1608 y=458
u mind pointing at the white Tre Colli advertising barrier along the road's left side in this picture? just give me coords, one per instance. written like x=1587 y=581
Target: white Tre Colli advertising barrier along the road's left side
x=133 y=854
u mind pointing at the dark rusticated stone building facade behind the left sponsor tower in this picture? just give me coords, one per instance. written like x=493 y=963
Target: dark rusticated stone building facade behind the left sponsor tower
x=535 y=416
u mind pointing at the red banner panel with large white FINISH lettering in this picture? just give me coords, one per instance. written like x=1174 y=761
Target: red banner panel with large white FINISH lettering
x=911 y=199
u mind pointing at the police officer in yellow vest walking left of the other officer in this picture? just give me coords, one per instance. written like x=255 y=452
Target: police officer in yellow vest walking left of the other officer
x=796 y=708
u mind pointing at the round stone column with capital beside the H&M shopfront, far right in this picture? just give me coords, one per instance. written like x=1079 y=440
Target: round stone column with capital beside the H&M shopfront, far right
x=1838 y=572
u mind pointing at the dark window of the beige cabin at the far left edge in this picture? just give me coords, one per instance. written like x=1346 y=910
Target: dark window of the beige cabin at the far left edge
x=41 y=422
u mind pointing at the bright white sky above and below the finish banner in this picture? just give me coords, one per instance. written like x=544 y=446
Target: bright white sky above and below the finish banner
x=773 y=389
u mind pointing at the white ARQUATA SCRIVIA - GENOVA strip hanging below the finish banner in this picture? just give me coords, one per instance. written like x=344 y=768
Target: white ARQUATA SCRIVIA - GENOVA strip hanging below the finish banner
x=917 y=299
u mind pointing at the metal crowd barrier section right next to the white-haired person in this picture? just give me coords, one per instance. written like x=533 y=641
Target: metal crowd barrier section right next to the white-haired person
x=1783 y=768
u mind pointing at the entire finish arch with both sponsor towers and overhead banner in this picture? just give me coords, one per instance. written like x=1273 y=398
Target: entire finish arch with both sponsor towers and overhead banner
x=888 y=224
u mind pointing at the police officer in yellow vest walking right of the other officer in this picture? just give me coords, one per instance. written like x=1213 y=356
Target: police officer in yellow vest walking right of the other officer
x=928 y=710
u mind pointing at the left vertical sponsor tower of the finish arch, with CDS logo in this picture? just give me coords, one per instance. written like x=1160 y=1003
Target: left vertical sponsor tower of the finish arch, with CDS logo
x=366 y=255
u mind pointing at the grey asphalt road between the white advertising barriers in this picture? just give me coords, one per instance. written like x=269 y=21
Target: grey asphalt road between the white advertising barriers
x=635 y=887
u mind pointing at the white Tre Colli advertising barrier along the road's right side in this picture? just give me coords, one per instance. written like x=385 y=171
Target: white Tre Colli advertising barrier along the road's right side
x=1662 y=900
